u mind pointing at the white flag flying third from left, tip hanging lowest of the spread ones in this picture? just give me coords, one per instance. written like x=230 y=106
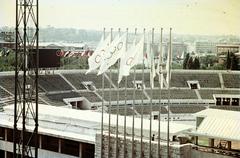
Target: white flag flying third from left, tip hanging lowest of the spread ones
x=131 y=58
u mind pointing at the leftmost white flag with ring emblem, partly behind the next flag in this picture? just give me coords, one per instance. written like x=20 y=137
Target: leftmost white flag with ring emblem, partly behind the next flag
x=95 y=60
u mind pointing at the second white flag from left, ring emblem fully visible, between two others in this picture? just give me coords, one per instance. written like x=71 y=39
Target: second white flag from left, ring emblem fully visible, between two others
x=113 y=53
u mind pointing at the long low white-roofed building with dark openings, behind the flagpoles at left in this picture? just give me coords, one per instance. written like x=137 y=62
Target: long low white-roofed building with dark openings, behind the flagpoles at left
x=71 y=133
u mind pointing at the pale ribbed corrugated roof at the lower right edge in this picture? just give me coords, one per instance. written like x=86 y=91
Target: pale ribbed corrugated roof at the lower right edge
x=220 y=124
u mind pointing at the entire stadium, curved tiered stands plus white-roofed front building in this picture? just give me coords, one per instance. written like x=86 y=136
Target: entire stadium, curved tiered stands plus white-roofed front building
x=71 y=101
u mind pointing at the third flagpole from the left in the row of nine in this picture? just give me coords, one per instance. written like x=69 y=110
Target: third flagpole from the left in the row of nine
x=119 y=32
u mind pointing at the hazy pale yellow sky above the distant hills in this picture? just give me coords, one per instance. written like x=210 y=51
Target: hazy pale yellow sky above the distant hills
x=209 y=17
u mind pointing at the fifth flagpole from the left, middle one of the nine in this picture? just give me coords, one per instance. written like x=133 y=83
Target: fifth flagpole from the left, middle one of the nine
x=133 y=105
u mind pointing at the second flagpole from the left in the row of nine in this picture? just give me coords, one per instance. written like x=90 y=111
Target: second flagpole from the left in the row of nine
x=110 y=105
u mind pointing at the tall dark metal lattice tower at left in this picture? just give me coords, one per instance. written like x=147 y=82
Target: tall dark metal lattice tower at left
x=25 y=133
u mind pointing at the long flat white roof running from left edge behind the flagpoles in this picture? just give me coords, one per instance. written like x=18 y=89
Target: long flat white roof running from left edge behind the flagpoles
x=84 y=124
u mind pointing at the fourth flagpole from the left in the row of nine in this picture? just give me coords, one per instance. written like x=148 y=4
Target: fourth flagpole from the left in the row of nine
x=125 y=108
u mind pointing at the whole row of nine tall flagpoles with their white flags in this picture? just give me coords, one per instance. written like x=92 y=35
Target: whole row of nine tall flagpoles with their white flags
x=118 y=50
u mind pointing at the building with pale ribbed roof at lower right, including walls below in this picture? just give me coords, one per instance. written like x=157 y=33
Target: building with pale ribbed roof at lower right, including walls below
x=216 y=135
